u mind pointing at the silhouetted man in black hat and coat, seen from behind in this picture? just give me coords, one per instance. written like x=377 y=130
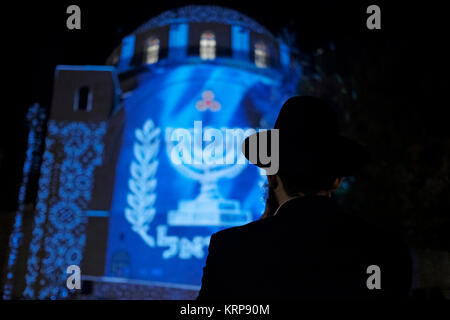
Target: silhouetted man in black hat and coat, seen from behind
x=305 y=246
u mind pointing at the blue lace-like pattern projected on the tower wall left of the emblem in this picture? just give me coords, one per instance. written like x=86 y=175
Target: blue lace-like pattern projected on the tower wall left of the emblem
x=58 y=236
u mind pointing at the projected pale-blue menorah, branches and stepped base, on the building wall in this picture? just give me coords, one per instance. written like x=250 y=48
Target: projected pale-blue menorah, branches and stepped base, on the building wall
x=207 y=165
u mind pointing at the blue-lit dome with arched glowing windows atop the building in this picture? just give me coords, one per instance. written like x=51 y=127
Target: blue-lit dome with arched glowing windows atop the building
x=200 y=33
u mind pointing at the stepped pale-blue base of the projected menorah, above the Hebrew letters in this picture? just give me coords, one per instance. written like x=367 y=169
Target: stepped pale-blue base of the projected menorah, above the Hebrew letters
x=211 y=212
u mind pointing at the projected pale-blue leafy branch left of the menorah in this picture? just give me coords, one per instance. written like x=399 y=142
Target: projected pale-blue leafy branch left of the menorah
x=142 y=183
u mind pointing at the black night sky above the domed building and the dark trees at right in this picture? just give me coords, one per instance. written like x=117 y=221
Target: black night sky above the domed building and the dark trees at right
x=37 y=40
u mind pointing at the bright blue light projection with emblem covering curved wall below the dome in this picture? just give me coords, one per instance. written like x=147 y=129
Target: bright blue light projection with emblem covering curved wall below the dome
x=162 y=216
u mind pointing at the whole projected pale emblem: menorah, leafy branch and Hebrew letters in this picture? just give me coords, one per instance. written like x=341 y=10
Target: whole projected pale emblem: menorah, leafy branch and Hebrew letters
x=205 y=157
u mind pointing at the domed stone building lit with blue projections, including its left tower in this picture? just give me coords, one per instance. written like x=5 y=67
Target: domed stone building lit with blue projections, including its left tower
x=114 y=197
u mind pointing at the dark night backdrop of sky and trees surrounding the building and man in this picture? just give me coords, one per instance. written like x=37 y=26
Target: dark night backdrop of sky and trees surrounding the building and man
x=389 y=84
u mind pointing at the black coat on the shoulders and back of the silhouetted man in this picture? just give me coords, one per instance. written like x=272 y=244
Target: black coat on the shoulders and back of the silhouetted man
x=309 y=249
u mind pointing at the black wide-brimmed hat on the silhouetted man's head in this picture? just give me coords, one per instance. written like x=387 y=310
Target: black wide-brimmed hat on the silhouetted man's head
x=309 y=141
